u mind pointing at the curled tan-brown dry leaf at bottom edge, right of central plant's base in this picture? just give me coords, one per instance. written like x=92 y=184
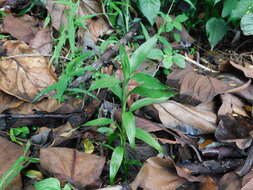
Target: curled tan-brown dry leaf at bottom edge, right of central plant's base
x=157 y=174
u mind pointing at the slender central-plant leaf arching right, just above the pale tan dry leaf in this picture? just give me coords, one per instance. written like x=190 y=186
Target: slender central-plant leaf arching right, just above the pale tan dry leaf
x=145 y=102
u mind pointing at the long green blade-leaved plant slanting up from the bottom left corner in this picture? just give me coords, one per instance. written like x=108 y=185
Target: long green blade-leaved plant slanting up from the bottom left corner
x=21 y=163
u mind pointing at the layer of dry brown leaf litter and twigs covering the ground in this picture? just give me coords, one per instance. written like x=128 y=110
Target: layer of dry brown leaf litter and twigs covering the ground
x=205 y=130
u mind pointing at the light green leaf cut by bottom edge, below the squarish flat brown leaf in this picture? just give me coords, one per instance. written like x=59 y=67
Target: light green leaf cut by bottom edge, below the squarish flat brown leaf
x=49 y=183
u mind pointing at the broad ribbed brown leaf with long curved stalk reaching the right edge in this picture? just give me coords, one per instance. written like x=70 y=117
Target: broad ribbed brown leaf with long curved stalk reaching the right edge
x=199 y=87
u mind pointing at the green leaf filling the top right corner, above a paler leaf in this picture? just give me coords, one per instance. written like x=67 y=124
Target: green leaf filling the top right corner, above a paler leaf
x=243 y=6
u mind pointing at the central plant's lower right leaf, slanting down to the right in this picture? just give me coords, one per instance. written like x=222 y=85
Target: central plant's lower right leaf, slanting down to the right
x=147 y=138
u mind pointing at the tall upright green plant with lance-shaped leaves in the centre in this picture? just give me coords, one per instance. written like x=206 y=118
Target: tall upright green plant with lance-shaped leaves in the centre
x=149 y=87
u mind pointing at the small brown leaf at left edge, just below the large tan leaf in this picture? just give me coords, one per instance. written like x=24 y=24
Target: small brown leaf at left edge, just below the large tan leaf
x=8 y=102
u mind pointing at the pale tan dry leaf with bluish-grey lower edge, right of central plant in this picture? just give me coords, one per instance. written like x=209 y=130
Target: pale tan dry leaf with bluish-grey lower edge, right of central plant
x=195 y=120
